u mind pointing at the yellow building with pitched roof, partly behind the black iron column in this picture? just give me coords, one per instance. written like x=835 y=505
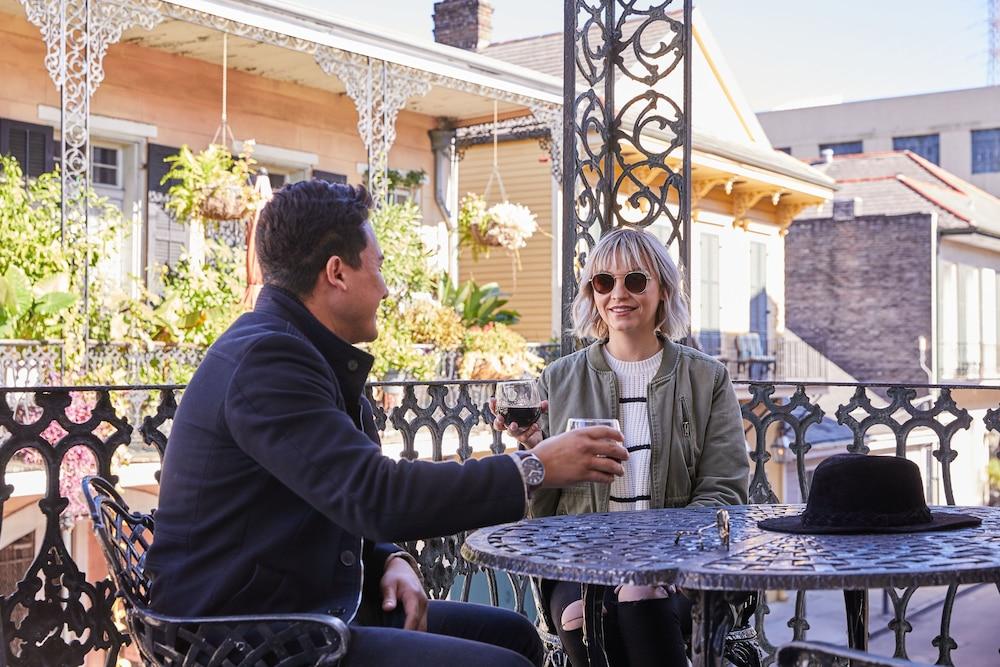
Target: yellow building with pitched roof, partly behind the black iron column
x=744 y=197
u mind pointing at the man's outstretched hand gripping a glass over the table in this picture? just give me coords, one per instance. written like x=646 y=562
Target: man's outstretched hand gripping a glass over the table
x=592 y=454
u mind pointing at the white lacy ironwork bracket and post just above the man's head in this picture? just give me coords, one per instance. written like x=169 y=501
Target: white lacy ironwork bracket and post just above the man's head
x=379 y=90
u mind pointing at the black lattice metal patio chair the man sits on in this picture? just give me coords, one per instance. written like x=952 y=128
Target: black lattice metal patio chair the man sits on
x=278 y=640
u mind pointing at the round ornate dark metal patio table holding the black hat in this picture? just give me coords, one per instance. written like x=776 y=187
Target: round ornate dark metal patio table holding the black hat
x=602 y=550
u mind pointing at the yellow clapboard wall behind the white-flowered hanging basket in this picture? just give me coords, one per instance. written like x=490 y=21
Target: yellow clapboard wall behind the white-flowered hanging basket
x=527 y=177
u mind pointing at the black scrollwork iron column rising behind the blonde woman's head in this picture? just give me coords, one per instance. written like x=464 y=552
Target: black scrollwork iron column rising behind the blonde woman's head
x=624 y=61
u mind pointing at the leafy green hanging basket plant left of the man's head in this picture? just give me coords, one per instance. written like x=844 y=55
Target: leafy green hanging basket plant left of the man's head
x=212 y=184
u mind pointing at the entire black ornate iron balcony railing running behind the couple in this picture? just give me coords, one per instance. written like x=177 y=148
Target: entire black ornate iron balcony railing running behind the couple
x=55 y=616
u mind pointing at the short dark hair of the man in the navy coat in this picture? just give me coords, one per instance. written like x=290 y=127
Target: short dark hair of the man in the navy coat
x=305 y=224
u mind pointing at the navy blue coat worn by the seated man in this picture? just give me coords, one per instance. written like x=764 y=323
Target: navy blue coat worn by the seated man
x=274 y=494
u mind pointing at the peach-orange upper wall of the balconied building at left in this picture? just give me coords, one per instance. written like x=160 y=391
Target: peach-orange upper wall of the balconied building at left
x=181 y=96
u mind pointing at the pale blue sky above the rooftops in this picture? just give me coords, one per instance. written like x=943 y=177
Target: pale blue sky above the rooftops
x=783 y=53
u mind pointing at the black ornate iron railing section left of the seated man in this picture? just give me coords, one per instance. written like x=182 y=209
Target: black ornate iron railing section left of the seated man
x=55 y=615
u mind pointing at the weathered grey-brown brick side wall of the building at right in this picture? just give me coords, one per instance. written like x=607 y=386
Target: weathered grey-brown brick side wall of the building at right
x=861 y=289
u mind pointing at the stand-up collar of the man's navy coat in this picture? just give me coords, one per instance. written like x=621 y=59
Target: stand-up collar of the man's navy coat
x=350 y=365
